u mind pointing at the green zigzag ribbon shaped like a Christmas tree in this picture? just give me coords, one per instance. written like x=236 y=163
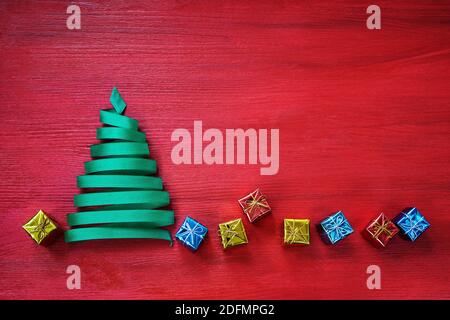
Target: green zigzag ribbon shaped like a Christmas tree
x=121 y=196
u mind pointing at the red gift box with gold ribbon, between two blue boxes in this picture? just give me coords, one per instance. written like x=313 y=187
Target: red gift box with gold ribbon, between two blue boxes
x=380 y=231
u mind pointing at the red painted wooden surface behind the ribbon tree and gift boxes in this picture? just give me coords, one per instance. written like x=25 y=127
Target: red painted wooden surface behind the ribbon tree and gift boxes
x=364 y=122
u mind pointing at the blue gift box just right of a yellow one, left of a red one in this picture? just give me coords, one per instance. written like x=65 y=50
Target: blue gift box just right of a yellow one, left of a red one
x=335 y=228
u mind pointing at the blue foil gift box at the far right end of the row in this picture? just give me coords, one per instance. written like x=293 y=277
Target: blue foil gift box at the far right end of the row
x=411 y=223
